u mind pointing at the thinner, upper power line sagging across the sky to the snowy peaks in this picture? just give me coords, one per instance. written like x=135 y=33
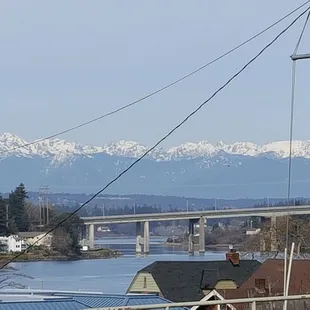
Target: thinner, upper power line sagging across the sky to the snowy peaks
x=158 y=90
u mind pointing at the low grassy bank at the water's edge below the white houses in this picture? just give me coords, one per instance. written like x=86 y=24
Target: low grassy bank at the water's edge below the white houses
x=45 y=254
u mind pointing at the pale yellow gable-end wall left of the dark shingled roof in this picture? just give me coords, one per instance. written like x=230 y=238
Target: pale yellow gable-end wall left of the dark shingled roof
x=144 y=283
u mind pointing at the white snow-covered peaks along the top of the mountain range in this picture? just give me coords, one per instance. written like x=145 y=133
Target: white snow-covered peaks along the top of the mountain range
x=61 y=150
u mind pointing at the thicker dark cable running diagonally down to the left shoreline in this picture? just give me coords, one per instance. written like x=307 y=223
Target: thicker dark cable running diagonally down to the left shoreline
x=163 y=138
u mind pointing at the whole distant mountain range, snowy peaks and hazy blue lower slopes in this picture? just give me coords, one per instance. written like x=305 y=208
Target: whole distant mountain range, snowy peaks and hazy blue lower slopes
x=198 y=169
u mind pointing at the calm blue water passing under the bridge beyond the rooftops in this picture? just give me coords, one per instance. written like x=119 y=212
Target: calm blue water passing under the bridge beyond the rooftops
x=105 y=275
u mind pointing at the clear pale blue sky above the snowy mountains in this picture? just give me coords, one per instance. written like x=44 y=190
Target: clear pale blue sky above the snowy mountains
x=65 y=62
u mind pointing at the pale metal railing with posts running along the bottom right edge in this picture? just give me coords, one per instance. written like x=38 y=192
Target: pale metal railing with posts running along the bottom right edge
x=252 y=302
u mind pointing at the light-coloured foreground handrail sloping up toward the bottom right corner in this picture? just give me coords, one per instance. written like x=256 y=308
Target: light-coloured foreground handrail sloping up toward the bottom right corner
x=259 y=303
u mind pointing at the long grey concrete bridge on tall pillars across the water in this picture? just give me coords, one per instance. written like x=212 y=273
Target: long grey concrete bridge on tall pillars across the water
x=142 y=238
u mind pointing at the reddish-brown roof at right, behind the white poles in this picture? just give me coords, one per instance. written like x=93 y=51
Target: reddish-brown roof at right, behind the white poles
x=272 y=271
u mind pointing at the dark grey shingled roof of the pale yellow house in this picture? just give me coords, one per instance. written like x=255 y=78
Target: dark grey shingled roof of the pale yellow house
x=184 y=281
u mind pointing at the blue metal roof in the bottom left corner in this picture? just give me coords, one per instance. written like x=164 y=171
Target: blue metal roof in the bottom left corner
x=72 y=301
